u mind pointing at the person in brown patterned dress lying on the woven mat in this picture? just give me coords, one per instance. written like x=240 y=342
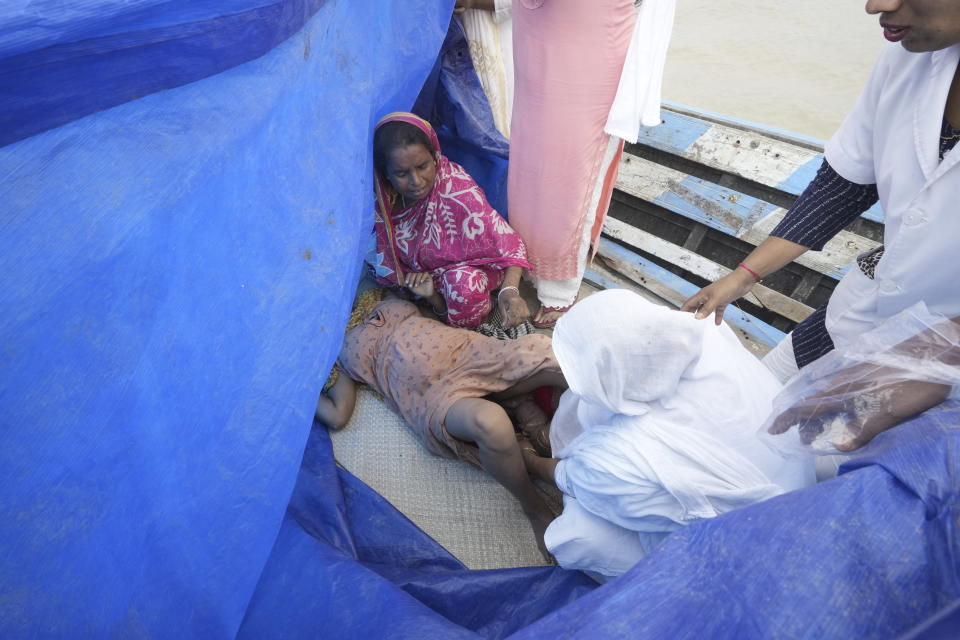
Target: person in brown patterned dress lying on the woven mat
x=451 y=387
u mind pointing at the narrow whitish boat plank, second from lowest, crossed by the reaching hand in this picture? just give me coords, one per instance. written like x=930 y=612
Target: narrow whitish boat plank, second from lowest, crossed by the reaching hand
x=688 y=260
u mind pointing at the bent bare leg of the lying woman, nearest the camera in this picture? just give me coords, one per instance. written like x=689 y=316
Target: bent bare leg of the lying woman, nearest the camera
x=487 y=424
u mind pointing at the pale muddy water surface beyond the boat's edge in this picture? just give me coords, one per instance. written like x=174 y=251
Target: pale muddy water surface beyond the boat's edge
x=797 y=65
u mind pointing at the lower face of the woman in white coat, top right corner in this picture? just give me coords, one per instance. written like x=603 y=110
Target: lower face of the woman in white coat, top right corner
x=919 y=25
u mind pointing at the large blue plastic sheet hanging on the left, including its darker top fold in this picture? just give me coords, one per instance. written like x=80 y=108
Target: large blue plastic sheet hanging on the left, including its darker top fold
x=175 y=275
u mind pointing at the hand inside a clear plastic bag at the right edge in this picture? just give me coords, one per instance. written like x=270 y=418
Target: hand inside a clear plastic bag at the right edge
x=863 y=407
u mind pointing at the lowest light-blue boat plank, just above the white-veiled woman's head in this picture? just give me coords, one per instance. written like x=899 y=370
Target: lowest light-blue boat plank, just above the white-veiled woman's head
x=757 y=335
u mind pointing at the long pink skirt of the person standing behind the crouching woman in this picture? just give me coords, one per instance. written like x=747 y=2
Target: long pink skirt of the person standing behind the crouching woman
x=568 y=57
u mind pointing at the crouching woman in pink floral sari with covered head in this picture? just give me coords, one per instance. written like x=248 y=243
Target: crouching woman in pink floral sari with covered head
x=436 y=235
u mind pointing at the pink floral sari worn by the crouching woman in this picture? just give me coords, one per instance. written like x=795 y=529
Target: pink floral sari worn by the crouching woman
x=453 y=233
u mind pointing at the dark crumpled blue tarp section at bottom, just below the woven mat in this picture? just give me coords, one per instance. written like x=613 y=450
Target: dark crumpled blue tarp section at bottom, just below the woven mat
x=348 y=565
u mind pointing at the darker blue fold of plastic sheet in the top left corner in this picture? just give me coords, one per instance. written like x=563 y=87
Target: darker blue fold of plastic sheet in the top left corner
x=61 y=61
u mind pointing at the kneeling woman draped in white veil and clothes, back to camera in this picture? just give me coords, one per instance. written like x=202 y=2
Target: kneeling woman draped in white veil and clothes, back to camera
x=657 y=430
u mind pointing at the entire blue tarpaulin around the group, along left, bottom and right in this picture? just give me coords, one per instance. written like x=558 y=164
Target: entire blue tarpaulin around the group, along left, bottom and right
x=184 y=201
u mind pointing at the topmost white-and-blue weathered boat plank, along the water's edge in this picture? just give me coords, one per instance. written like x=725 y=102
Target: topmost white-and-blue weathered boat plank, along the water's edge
x=743 y=152
